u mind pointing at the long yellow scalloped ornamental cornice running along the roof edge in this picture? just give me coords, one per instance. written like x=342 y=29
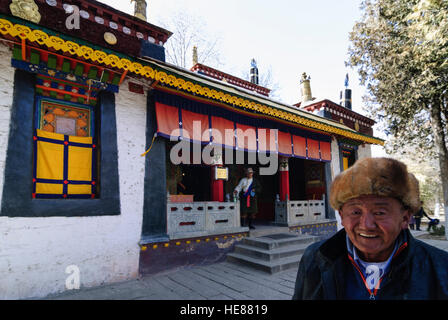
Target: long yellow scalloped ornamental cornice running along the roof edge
x=157 y=73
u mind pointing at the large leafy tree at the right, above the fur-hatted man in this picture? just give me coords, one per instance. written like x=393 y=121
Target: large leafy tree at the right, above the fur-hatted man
x=400 y=48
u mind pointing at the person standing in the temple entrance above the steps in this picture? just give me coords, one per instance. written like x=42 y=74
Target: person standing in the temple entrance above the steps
x=247 y=189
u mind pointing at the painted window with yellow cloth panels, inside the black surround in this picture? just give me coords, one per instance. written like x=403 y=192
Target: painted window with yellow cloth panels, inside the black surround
x=65 y=146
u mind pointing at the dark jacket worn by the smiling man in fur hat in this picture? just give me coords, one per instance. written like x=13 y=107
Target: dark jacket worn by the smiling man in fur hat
x=419 y=271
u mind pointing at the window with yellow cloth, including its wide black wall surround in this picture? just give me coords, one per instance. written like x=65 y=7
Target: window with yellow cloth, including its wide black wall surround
x=17 y=200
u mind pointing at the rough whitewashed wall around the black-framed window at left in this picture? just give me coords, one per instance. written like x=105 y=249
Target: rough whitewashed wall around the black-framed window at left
x=34 y=252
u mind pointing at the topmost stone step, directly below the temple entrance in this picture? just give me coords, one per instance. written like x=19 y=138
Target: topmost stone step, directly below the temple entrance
x=273 y=241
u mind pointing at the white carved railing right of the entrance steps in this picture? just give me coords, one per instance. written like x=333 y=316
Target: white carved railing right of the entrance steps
x=294 y=213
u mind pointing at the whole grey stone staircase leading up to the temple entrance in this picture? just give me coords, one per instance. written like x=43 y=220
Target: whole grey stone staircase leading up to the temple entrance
x=271 y=253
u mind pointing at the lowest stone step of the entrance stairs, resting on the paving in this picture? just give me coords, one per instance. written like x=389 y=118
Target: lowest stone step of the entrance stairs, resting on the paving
x=267 y=266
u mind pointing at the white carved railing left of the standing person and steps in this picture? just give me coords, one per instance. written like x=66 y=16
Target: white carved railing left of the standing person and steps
x=191 y=219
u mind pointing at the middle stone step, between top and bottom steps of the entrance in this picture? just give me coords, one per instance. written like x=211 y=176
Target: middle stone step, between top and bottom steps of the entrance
x=273 y=254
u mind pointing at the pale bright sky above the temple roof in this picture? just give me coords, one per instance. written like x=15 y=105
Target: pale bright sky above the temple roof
x=288 y=36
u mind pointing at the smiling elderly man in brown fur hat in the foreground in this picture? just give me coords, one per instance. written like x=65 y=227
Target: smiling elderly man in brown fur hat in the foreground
x=374 y=256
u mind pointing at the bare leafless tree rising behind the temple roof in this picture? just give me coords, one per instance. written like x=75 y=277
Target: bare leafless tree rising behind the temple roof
x=189 y=31
